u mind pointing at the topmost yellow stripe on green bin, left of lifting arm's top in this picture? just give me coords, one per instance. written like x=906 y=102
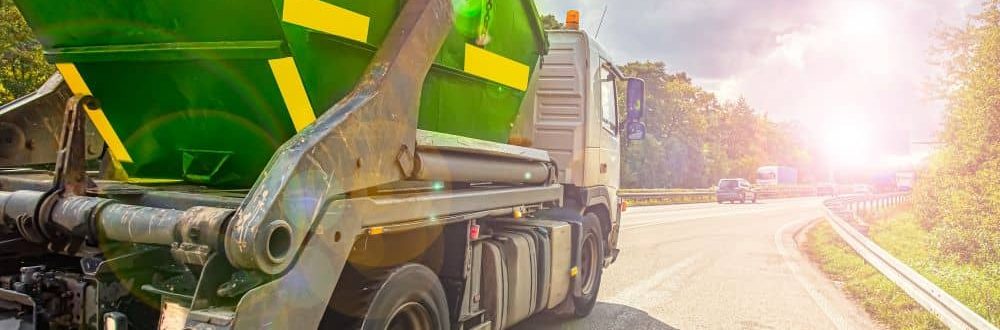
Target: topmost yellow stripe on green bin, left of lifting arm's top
x=326 y=18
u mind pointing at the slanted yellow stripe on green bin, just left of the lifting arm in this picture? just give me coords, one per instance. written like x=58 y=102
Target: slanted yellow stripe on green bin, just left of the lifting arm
x=293 y=92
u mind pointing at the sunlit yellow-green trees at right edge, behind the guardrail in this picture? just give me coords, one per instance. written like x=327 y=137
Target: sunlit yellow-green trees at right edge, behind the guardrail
x=958 y=196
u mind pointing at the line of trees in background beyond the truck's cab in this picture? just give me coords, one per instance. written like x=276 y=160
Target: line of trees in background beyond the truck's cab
x=693 y=139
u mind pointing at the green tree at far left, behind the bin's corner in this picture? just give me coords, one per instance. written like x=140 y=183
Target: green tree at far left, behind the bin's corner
x=22 y=67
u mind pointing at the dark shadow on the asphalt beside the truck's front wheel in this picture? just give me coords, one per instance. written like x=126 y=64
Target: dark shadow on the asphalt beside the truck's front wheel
x=604 y=316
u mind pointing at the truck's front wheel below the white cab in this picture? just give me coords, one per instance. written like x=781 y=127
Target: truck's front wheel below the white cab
x=591 y=265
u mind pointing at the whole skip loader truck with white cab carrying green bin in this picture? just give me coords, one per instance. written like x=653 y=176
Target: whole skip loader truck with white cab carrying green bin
x=301 y=164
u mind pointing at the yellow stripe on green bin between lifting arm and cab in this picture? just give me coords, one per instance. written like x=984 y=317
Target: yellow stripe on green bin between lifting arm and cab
x=488 y=65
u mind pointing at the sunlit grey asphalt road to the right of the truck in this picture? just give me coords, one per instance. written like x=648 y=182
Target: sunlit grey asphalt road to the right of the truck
x=711 y=266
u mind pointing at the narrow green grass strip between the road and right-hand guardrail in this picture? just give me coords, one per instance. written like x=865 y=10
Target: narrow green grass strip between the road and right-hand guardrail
x=886 y=303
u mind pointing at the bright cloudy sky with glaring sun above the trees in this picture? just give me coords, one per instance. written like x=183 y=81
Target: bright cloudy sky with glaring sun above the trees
x=833 y=66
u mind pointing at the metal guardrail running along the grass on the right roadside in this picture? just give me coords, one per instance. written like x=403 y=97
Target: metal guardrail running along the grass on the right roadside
x=845 y=217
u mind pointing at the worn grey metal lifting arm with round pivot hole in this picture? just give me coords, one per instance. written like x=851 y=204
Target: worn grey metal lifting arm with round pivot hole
x=365 y=140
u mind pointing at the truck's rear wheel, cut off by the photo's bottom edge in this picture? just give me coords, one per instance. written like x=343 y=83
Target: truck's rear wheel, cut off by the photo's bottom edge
x=409 y=297
